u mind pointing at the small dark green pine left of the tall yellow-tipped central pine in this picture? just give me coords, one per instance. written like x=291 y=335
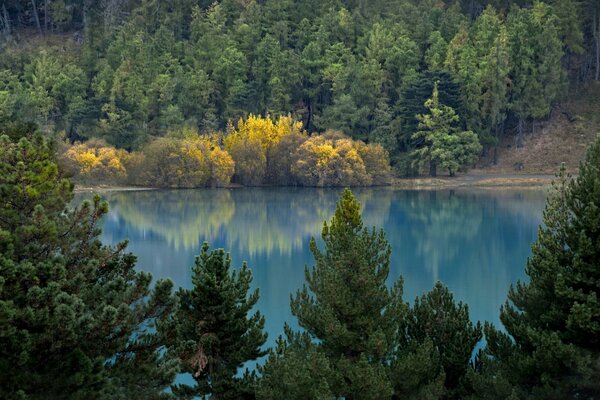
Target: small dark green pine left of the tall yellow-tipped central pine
x=211 y=330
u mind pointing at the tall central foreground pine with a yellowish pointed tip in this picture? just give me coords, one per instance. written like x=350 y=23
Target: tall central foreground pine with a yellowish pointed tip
x=347 y=306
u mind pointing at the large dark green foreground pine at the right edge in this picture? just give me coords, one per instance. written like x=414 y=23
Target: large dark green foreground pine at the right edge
x=553 y=320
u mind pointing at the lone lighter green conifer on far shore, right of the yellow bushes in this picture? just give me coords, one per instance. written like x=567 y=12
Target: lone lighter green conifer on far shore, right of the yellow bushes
x=441 y=143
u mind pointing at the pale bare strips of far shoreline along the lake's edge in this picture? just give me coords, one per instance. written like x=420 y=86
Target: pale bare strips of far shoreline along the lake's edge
x=442 y=182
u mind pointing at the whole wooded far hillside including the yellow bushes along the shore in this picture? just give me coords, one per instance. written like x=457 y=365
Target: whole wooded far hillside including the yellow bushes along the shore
x=132 y=72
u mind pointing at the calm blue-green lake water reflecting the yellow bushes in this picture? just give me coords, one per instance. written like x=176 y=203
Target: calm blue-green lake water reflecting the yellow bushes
x=476 y=241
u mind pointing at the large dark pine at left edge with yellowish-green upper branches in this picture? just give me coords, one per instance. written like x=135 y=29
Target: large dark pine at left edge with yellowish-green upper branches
x=75 y=317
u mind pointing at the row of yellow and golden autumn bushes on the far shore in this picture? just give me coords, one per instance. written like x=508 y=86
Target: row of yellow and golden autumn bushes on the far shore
x=259 y=150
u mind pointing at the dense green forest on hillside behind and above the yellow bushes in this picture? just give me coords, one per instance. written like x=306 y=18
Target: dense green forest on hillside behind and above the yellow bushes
x=361 y=67
